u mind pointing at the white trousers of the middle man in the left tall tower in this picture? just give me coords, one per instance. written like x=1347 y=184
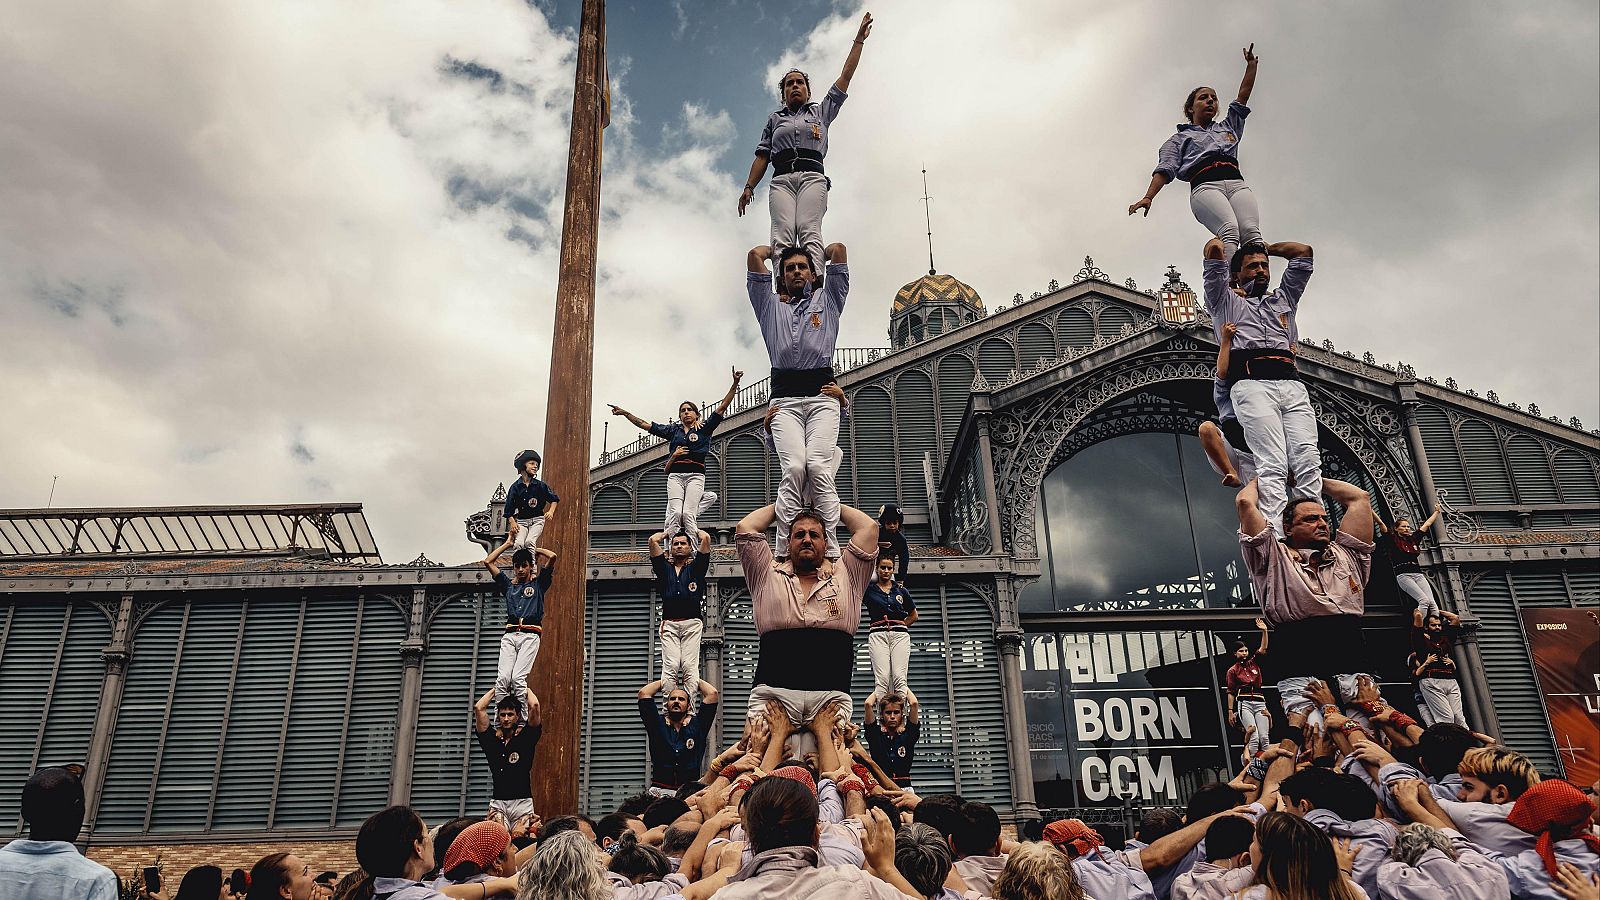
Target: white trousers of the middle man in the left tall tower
x=806 y=438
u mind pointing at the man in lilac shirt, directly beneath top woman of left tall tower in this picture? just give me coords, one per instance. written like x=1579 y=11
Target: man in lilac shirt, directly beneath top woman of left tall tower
x=801 y=331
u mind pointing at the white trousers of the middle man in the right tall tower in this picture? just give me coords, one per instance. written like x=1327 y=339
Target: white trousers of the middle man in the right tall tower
x=1281 y=428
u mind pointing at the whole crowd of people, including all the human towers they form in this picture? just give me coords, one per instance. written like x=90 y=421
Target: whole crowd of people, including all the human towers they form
x=1343 y=798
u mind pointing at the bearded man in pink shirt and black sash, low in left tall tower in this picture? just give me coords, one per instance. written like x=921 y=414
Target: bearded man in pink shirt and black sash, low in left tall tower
x=806 y=617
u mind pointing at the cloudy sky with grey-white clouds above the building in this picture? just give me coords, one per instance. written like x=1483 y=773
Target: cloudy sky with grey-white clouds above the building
x=298 y=252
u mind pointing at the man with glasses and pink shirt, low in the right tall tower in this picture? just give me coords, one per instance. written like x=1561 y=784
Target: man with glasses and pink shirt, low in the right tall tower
x=1313 y=589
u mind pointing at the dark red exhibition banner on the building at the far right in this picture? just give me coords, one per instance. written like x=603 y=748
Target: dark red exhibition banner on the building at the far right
x=1566 y=646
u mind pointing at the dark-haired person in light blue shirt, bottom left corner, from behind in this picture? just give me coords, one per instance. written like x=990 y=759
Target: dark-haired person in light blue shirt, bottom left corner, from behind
x=47 y=866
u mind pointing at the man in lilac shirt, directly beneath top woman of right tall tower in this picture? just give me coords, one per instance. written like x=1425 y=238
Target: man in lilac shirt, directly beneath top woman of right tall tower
x=1270 y=400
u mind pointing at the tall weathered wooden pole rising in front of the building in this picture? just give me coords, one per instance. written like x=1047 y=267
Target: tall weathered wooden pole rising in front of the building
x=561 y=678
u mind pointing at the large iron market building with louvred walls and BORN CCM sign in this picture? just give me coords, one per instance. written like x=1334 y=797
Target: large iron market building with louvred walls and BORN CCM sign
x=1076 y=566
